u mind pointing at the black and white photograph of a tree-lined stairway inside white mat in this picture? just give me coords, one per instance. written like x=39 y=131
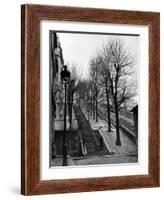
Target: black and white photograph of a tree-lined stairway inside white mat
x=94 y=98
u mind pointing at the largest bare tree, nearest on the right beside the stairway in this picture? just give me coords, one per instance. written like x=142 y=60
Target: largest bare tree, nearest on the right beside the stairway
x=120 y=63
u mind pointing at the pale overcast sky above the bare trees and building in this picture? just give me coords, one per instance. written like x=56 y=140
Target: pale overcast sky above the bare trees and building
x=79 y=48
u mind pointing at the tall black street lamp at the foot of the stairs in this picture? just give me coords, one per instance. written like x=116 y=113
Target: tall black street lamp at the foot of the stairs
x=65 y=77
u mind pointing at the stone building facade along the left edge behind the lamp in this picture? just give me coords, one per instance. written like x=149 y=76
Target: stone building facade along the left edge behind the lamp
x=56 y=87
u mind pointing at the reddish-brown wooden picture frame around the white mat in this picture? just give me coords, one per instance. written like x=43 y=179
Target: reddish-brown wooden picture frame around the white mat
x=31 y=16
